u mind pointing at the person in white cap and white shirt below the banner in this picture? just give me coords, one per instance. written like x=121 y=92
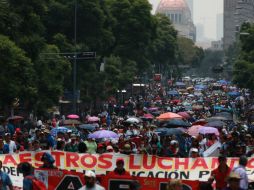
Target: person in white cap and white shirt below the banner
x=90 y=179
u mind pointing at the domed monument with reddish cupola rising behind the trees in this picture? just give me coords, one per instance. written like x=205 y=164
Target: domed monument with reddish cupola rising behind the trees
x=180 y=15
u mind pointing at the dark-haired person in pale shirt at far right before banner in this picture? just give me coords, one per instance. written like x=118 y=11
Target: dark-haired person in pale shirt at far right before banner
x=241 y=170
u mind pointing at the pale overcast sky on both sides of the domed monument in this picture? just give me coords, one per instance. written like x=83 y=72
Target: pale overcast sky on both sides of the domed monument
x=205 y=12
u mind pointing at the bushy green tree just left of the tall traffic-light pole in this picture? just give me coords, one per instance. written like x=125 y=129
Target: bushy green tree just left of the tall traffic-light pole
x=51 y=69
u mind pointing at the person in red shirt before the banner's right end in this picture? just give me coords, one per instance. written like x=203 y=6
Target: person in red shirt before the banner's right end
x=221 y=173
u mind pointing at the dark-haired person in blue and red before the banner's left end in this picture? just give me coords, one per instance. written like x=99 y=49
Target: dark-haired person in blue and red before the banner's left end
x=30 y=182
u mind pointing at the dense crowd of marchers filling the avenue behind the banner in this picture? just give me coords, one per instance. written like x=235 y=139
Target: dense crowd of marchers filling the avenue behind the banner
x=199 y=102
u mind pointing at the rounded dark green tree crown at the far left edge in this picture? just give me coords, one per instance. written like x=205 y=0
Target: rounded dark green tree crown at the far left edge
x=16 y=74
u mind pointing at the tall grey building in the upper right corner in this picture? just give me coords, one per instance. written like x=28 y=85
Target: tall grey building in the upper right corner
x=236 y=12
